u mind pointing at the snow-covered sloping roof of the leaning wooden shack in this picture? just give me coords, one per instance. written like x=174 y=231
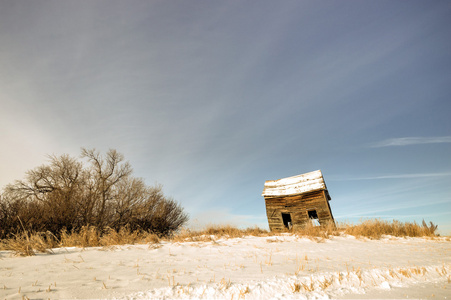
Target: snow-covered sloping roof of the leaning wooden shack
x=299 y=184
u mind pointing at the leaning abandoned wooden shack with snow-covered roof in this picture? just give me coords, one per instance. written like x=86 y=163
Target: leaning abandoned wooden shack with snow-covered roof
x=295 y=201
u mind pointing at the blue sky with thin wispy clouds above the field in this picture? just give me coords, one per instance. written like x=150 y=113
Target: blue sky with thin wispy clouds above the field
x=212 y=98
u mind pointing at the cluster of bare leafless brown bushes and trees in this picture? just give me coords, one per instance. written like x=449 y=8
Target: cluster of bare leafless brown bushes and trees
x=100 y=191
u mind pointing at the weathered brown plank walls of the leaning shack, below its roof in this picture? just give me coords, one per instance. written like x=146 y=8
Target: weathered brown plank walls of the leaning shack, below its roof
x=298 y=206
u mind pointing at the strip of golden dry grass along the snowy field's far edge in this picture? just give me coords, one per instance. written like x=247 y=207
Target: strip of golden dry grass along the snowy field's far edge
x=27 y=244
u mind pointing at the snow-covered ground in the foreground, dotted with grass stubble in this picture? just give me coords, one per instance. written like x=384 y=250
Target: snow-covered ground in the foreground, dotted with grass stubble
x=277 y=267
